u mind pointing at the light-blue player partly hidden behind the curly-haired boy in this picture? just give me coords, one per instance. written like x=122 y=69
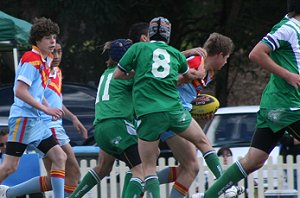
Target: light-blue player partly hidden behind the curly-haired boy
x=53 y=96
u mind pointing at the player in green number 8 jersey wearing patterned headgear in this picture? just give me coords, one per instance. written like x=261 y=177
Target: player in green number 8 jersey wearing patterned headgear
x=155 y=67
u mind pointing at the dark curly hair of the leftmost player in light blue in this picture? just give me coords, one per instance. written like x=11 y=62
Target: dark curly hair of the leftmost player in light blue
x=42 y=27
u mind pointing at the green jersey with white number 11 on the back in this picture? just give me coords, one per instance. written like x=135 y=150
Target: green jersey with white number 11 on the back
x=114 y=98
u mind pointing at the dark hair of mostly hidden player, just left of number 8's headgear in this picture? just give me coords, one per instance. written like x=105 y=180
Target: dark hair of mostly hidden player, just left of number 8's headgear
x=137 y=30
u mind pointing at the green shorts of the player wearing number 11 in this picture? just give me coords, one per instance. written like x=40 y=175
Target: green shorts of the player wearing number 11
x=114 y=136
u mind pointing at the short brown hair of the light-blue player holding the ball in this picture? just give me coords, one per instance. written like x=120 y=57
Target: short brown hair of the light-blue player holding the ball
x=217 y=43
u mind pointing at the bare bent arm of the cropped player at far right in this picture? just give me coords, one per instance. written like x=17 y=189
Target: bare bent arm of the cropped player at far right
x=260 y=55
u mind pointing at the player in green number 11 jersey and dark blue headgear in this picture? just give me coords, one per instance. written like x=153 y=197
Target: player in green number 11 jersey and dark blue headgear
x=114 y=129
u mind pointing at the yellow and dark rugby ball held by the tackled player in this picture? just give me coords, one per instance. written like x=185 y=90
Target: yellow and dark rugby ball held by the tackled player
x=204 y=105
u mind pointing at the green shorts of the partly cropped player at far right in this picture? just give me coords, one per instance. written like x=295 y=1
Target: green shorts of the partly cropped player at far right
x=276 y=119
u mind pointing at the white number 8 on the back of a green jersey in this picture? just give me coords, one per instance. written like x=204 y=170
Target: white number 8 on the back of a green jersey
x=161 y=67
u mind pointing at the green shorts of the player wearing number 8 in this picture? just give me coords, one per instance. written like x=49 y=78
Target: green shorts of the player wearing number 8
x=154 y=124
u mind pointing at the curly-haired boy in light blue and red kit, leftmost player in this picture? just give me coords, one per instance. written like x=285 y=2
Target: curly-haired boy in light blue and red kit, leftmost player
x=25 y=124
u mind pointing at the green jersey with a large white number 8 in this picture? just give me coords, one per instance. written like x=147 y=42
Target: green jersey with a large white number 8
x=156 y=67
